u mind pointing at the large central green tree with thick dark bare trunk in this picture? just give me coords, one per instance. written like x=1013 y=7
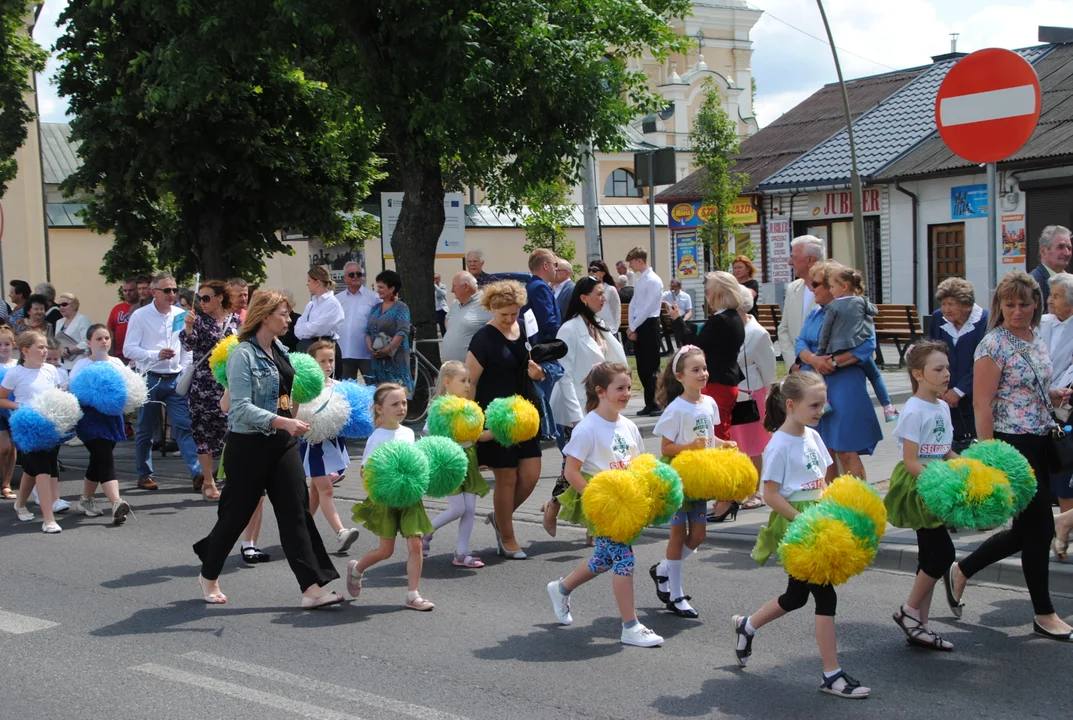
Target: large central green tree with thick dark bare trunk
x=492 y=94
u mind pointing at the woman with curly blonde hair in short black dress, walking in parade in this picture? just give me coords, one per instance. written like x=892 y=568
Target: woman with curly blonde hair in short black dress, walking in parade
x=499 y=366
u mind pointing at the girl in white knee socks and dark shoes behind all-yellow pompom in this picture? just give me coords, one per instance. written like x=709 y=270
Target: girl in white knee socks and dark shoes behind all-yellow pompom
x=688 y=422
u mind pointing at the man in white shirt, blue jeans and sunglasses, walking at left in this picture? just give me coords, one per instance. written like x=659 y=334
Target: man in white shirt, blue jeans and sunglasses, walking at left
x=153 y=343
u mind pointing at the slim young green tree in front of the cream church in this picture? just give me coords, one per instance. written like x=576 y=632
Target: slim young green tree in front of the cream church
x=715 y=143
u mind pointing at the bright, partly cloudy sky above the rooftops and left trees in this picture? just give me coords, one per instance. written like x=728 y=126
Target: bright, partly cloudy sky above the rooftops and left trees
x=873 y=37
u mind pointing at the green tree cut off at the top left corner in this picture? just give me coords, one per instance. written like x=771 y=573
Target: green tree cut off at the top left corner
x=20 y=58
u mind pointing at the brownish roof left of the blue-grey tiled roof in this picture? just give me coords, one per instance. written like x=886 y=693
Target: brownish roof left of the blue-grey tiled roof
x=798 y=131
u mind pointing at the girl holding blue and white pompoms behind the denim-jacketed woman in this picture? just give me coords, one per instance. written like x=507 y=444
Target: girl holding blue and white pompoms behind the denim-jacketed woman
x=327 y=461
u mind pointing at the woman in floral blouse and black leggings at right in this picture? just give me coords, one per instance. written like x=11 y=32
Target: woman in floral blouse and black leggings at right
x=1011 y=376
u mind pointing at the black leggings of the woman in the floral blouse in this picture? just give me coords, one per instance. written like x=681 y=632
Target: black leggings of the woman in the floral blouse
x=1032 y=532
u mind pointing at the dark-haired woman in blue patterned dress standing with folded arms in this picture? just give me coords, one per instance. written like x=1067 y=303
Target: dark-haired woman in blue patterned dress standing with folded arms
x=388 y=333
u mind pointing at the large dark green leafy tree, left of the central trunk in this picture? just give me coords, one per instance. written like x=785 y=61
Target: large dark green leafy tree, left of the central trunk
x=204 y=130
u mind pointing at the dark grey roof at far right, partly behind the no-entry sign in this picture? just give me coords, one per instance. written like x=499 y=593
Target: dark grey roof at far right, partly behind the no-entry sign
x=1053 y=136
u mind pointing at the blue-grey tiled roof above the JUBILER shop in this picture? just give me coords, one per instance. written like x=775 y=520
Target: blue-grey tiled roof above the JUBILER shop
x=883 y=135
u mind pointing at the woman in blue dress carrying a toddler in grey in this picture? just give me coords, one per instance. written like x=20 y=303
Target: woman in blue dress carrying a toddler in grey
x=851 y=430
